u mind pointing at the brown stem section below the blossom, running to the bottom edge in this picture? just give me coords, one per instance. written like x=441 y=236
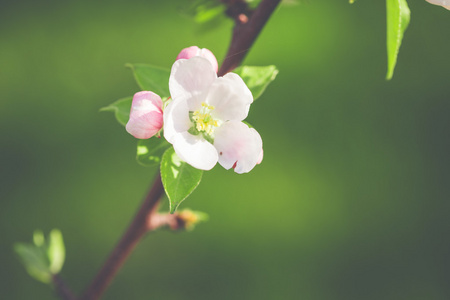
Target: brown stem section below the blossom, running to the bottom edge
x=134 y=233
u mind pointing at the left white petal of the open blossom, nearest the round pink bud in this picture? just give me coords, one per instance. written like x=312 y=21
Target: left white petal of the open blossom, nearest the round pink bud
x=176 y=119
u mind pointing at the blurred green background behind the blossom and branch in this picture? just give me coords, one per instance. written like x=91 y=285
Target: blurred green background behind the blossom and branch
x=351 y=201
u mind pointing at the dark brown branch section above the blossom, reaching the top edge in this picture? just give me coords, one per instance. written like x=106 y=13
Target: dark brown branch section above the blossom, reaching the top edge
x=245 y=33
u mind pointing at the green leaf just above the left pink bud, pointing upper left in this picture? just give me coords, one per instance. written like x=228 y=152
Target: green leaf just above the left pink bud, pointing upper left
x=151 y=78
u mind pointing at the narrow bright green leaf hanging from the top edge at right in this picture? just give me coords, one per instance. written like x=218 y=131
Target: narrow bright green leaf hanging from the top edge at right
x=397 y=16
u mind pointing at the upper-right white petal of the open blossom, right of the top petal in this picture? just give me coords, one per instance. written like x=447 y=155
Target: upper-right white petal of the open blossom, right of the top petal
x=230 y=97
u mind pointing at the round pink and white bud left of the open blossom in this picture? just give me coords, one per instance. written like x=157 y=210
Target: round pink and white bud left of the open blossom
x=146 y=116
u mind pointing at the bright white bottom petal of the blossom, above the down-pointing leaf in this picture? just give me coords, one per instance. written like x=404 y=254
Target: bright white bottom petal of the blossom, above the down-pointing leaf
x=195 y=150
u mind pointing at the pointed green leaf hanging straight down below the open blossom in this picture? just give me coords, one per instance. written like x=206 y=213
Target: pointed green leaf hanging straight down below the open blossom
x=179 y=178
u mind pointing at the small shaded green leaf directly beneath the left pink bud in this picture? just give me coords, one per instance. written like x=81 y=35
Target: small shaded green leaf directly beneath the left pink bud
x=150 y=151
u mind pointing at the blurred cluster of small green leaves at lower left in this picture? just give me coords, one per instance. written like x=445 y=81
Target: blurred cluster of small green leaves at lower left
x=42 y=259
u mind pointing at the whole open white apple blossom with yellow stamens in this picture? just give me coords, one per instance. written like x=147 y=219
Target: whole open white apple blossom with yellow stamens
x=203 y=120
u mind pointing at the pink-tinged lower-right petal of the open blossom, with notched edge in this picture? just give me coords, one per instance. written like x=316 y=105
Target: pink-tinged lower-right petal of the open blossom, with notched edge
x=239 y=146
